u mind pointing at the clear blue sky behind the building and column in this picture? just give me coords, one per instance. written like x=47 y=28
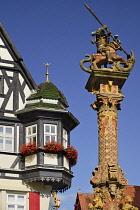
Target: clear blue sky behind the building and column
x=58 y=32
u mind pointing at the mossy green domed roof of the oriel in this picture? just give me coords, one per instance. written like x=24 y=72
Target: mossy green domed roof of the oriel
x=47 y=90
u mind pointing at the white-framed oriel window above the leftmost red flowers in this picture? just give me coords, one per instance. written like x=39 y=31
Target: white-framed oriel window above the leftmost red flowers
x=30 y=136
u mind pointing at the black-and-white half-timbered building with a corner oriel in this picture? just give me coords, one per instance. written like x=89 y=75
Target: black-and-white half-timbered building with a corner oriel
x=30 y=113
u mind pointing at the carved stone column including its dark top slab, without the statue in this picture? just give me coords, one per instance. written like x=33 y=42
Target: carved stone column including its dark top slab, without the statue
x=108 y=180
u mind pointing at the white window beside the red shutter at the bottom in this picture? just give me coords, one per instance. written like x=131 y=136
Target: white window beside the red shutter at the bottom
x=15 y=203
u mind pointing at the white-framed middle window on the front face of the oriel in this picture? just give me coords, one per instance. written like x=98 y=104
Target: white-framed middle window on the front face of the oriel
x=50 y=134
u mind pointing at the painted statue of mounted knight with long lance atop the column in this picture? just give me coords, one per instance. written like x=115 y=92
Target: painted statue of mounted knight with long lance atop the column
x=106 y=52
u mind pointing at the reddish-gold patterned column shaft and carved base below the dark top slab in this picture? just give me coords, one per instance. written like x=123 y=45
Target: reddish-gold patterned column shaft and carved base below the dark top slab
x=108 y=179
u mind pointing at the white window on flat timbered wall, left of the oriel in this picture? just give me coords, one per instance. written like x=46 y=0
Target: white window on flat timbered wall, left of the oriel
x=4 y=136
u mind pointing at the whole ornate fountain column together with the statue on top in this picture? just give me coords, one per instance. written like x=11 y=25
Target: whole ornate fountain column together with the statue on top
x=106 y=82
